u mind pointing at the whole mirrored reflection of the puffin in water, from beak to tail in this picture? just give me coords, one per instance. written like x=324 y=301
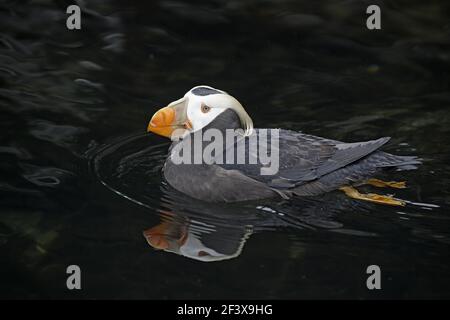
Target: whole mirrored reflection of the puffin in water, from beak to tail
x=211 y=232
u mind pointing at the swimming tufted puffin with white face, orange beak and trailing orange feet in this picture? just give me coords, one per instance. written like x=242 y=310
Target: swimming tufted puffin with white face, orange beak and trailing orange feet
x=307 y=165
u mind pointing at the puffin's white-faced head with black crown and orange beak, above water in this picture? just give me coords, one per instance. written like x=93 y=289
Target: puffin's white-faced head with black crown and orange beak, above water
x=199 y=107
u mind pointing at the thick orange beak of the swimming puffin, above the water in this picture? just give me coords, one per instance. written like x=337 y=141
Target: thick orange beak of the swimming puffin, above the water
x=166 y=120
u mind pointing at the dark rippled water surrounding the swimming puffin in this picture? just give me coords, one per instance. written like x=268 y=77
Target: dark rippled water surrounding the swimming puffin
x=80 y=180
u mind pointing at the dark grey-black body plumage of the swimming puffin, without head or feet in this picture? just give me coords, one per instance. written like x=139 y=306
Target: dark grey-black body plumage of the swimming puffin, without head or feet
x=308 y=165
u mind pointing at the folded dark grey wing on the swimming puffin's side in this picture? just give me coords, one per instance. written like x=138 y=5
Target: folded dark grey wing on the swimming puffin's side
x=304 y=158
